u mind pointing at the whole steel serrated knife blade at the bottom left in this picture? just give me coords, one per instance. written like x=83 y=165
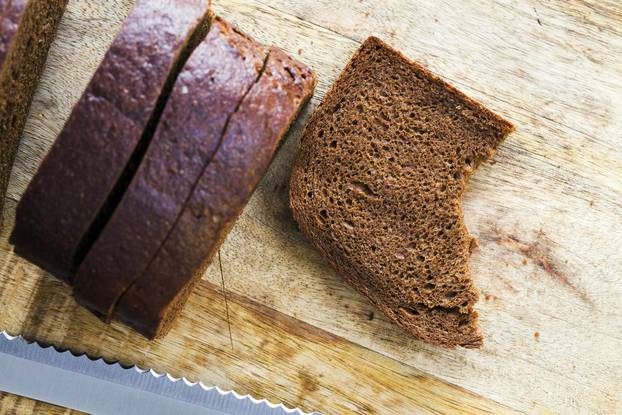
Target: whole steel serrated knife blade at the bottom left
x=97 y=387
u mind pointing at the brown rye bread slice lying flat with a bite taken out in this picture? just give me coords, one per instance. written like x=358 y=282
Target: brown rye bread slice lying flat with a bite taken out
x=377 y=188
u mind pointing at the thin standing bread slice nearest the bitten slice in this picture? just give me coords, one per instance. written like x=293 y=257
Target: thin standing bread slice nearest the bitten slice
x=223 y=190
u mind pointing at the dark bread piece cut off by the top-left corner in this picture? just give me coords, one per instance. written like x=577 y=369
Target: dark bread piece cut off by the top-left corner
x=27 y=28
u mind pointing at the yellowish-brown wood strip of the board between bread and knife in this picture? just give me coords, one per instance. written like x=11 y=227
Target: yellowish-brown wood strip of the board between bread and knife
x=271 y=355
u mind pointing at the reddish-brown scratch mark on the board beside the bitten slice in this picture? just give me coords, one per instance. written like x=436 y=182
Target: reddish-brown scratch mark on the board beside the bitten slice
x=538 y=255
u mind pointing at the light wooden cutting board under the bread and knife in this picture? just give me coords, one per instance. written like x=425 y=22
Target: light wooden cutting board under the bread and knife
x=547 y=211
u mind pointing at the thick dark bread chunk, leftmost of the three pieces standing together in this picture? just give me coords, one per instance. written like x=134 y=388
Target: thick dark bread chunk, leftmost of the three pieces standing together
x=85 y=172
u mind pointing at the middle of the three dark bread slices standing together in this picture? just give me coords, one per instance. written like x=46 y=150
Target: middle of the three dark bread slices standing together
x=213 y=82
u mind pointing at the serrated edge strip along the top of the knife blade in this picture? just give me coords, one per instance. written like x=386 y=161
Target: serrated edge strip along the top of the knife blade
x=146 y=380
